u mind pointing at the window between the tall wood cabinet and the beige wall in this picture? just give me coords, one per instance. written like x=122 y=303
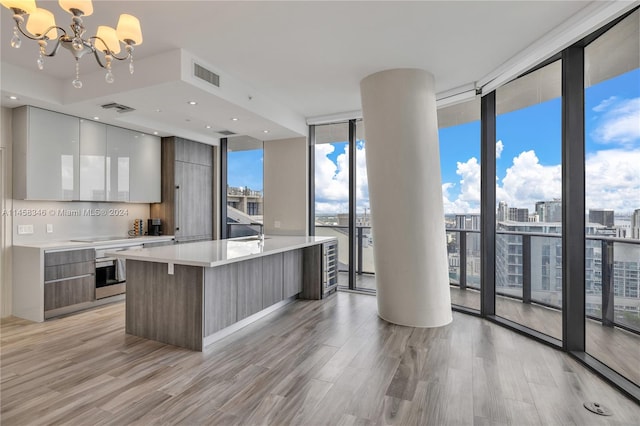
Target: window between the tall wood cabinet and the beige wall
x=244 y=186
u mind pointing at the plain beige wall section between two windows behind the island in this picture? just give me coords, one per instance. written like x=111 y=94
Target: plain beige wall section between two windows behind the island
x=286 y=186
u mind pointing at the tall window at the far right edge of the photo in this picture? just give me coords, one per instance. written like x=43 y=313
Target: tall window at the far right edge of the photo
x=612 y=197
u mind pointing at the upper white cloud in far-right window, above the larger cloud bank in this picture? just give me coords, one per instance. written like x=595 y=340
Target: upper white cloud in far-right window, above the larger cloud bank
x=620 y=123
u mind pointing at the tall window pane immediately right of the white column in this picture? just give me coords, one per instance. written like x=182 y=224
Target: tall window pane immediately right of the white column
x=459 y=136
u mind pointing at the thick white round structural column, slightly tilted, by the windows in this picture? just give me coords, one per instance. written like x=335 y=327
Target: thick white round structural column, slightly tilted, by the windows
x=405 y=192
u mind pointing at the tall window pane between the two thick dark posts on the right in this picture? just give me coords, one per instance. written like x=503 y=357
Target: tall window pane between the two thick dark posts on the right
x=529 y=200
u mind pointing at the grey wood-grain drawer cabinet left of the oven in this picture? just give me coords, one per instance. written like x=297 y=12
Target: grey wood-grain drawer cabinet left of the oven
x=69 y=279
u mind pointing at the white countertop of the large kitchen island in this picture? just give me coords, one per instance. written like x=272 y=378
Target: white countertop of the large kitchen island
x=219 y=252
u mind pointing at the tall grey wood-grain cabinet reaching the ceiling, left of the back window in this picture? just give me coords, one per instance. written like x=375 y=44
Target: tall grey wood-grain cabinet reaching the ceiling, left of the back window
x=187 y=190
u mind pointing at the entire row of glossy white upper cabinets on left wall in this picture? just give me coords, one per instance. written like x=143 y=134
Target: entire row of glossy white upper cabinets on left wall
x=62 y=158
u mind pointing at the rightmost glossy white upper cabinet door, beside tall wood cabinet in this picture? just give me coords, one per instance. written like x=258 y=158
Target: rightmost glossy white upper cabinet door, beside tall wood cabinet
x=144 y=169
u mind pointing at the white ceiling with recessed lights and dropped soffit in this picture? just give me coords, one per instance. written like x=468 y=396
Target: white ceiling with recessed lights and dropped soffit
x=281 y=62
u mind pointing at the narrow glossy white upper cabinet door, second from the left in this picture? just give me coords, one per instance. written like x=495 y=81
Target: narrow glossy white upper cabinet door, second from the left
x=93 y=150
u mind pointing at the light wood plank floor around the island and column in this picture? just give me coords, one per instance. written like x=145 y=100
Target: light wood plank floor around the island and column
x=309 y=363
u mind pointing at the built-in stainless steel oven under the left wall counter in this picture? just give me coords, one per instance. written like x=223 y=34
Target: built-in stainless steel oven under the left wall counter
x=111 y=275
